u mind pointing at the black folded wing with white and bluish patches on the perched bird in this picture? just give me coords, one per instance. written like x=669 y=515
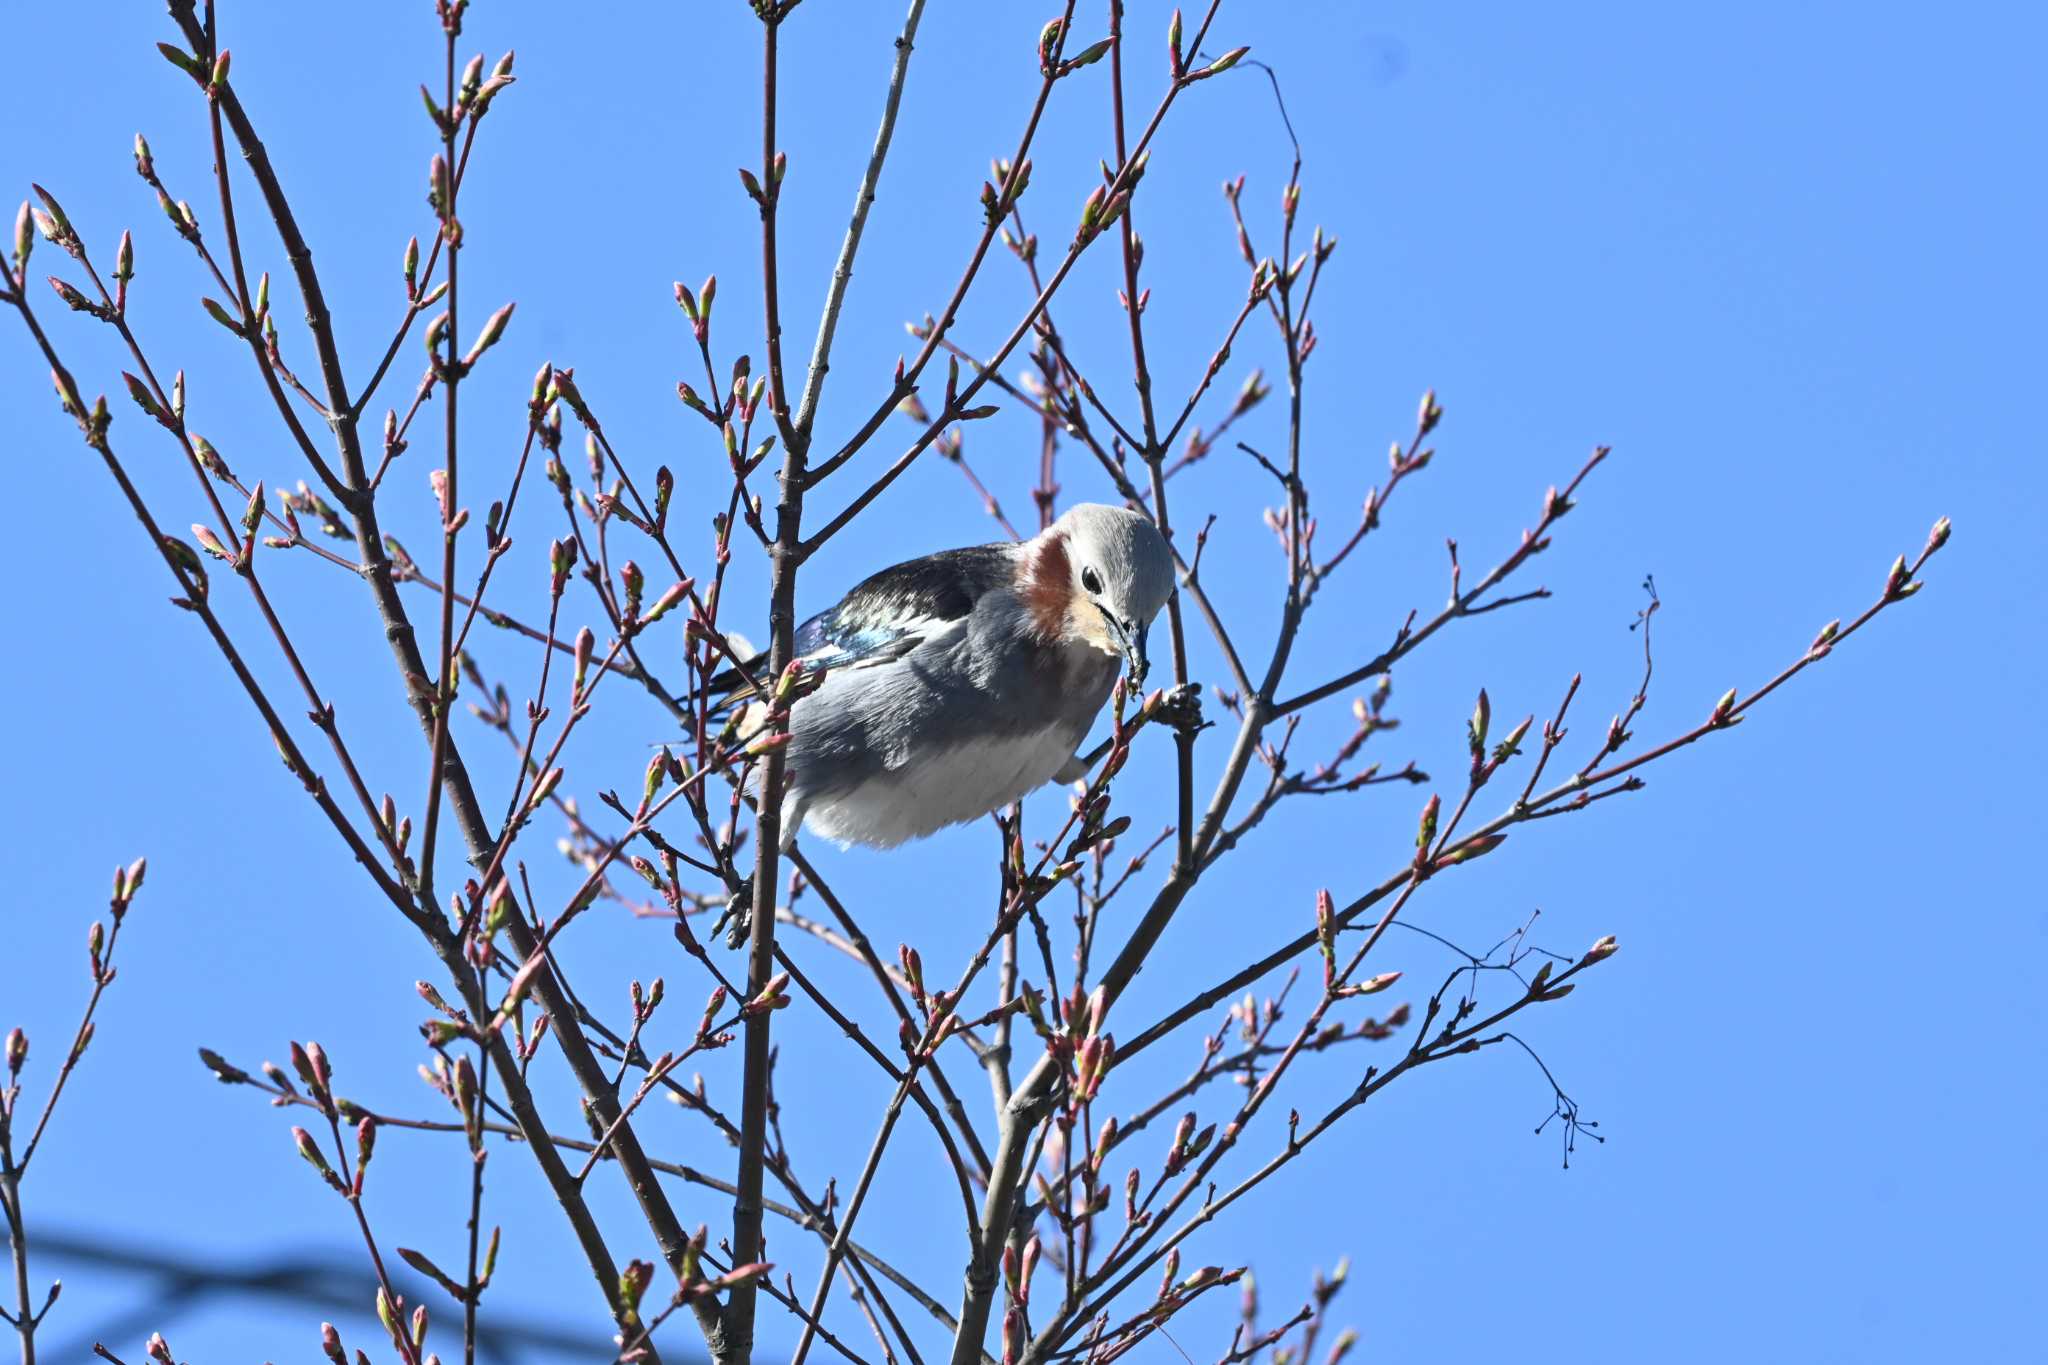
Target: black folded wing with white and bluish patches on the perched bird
x=892 y=613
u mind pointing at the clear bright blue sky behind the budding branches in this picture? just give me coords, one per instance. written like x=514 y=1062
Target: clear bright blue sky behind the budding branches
x=1783 y=259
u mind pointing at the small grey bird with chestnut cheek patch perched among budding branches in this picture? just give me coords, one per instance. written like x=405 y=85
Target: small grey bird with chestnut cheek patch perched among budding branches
x=959 y=682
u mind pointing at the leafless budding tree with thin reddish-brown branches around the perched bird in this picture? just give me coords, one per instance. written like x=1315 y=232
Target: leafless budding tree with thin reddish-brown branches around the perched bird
x=566 y=572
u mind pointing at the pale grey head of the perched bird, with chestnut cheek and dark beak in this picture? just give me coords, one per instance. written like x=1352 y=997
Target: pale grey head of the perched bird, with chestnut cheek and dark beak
x=1117 y=576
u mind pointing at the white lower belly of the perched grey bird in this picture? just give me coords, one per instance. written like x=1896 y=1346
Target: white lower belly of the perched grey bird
x=937 y=789
